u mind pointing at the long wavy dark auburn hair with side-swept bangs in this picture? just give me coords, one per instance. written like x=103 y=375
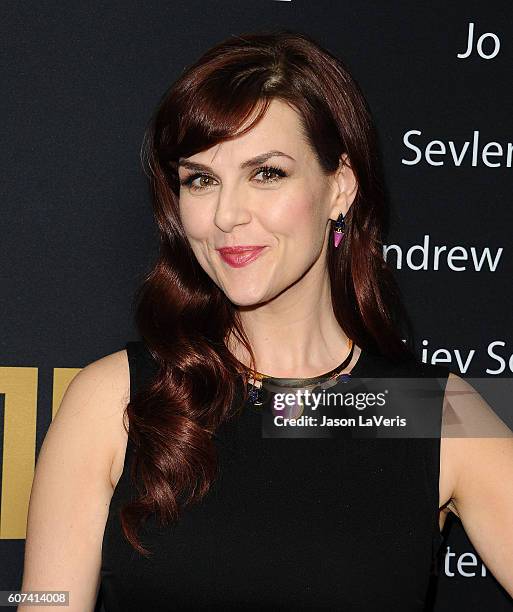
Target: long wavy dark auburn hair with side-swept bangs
x=182 y=316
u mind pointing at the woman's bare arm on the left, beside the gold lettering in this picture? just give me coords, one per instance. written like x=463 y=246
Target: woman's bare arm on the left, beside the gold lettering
x=73 y=484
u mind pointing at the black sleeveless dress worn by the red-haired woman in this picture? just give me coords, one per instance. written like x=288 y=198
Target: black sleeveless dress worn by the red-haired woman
x=297 y=524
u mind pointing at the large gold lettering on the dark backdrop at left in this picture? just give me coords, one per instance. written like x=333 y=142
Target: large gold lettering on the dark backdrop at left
x=19 y=387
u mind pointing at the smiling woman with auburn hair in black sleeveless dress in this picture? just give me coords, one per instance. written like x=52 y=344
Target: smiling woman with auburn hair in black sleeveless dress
x=269 y=204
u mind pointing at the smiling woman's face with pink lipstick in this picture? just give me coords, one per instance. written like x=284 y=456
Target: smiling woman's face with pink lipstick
x=282 y=203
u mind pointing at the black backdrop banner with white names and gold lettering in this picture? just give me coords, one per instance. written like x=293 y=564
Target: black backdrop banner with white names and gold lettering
x=80 y=81
